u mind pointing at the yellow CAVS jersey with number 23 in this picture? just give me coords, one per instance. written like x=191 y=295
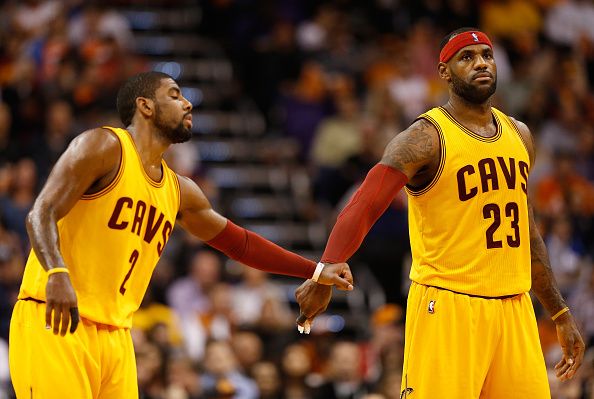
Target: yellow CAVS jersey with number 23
x=469 y=227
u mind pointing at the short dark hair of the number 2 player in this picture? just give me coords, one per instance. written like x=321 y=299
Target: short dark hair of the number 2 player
x=141 y=85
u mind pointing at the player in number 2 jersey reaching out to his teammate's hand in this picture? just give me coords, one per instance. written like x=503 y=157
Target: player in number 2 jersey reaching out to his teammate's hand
x=97 y=230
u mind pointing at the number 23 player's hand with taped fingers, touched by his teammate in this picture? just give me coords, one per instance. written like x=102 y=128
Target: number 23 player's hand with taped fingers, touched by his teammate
x=313 y=299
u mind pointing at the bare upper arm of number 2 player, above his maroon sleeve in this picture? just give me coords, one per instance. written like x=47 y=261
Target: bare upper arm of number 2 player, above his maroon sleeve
x=196 y=214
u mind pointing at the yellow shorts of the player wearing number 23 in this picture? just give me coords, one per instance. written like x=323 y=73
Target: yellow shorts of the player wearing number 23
x=463 y=347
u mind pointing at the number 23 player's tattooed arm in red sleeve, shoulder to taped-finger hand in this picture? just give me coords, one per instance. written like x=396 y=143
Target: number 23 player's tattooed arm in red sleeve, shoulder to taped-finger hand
x=406 y=157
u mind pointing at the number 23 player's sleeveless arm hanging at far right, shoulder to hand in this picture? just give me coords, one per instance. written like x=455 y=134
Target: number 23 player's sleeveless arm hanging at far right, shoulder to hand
x=545 y=288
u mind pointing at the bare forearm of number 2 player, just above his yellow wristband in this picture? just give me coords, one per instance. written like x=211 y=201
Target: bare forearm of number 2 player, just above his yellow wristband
x=43 y=234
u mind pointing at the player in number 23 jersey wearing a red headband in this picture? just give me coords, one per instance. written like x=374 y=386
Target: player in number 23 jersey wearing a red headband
x=470 y=326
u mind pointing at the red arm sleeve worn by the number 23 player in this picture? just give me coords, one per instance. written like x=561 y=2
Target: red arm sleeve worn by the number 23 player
x=364 y=208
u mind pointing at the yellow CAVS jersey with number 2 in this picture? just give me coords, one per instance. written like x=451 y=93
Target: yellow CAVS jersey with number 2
x=111 y=240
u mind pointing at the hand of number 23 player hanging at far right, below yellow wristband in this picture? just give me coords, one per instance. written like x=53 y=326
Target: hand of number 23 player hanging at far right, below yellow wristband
x=572 y=345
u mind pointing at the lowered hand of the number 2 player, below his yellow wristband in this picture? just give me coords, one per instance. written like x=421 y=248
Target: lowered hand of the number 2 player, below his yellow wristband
x=61 y=301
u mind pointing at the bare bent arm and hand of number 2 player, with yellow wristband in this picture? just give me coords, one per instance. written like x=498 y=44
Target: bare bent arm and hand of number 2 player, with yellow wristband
x=91 y=160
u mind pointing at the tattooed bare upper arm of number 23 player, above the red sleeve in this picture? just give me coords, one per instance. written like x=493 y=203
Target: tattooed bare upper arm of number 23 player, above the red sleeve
x=413 y=149
